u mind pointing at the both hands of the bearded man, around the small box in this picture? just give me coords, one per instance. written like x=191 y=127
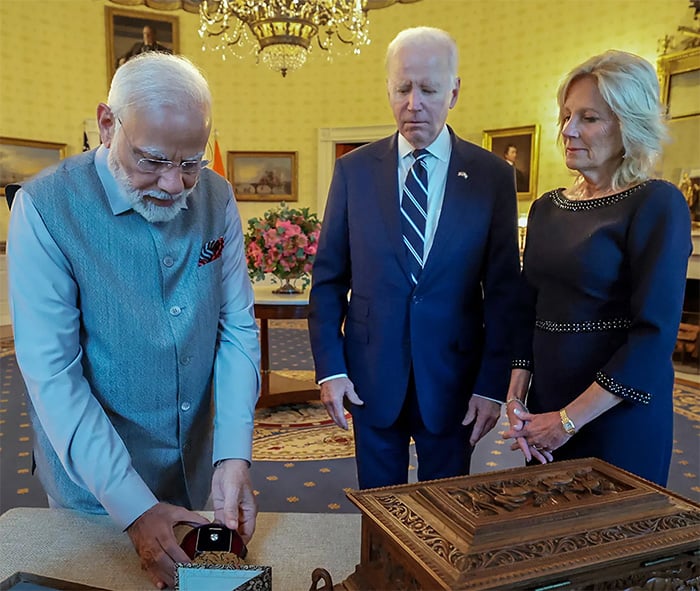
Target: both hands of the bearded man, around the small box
x=153 y=536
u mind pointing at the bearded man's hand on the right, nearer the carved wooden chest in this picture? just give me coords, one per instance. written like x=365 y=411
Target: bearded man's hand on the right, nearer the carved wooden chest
x=232 y=495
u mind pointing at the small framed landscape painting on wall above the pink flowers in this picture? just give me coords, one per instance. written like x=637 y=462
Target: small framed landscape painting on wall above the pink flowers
x=263 y=176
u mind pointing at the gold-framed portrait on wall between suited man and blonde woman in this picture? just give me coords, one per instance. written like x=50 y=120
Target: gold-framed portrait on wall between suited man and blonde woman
x=519 y=146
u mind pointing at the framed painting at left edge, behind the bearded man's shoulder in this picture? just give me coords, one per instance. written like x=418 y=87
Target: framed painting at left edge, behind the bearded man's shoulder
x=21 y=159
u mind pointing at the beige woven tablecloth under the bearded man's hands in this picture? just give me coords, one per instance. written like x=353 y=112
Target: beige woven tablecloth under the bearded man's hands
x=90 y=549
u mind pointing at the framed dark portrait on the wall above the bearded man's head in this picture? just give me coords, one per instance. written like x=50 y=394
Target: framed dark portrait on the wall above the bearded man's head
x=129 y=33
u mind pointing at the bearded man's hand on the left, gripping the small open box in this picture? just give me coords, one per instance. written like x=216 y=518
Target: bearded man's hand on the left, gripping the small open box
x=154 y=539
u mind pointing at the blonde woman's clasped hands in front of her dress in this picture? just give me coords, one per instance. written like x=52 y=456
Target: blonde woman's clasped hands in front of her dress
x=536 y=435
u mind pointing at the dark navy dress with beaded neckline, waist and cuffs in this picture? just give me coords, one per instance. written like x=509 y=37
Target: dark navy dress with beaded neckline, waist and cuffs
x=601 y=299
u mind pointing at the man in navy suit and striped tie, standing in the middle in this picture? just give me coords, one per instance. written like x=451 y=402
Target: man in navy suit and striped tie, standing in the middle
x=414 y=279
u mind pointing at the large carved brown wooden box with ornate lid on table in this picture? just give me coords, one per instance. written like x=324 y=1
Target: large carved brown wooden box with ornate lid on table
x=580 y=524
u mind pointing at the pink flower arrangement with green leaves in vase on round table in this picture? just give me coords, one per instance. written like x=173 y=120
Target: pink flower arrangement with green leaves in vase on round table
x=283 y=243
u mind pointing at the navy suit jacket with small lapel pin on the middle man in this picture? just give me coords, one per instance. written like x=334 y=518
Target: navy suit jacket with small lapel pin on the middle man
x=454 y=326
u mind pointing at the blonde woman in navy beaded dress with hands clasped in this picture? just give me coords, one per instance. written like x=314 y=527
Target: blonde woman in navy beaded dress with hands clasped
x=602 y=285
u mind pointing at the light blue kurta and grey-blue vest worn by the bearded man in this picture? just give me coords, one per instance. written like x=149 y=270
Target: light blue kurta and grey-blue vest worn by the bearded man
x=120 y=335
